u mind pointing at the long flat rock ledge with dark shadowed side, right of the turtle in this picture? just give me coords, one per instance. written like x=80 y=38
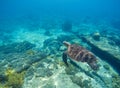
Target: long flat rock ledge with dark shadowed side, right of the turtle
x=104 y=50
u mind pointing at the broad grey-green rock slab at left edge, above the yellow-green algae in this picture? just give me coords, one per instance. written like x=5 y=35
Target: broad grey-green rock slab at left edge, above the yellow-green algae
x=21 y=61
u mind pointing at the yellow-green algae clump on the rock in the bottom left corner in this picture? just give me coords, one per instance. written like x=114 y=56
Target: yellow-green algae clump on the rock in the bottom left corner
x=14 y=79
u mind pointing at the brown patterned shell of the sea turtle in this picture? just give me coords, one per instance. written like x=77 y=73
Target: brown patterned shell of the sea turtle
x=79 y=53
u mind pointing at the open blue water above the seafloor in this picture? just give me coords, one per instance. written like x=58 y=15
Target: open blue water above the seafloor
x=76 y=11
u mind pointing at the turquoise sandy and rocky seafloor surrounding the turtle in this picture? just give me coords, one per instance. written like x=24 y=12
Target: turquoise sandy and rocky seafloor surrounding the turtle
x=39 y=56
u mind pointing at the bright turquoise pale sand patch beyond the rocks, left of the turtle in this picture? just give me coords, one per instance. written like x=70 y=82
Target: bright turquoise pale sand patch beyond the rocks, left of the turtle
x=36 y=37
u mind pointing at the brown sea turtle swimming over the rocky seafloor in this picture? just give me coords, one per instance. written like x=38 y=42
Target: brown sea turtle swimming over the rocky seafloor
x=78 y=53
